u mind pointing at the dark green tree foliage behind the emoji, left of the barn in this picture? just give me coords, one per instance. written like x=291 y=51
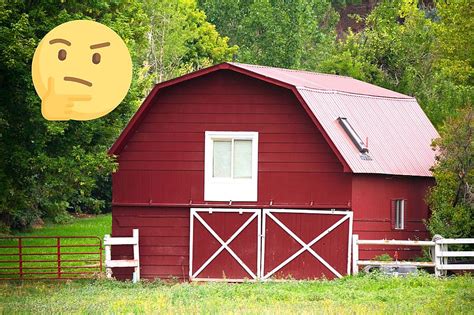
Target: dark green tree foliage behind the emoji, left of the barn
x=46 y=167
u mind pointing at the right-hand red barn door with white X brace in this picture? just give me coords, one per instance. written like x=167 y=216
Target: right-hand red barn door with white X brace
x=306 y=244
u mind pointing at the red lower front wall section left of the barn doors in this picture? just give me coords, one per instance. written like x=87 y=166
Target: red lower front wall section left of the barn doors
x=163 y=241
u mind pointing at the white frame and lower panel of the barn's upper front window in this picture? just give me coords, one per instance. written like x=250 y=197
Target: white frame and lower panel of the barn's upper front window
x=229 y=189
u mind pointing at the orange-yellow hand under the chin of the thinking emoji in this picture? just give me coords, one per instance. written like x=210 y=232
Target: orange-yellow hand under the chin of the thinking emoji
x=58 y=106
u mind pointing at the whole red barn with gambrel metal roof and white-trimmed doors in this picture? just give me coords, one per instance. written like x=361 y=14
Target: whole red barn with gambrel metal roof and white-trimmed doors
x=248 y=172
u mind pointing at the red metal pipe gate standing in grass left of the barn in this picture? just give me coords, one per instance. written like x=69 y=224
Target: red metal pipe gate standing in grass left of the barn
x=49 y=257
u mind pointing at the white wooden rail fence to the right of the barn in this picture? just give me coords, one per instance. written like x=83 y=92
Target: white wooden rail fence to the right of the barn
x=439 y=257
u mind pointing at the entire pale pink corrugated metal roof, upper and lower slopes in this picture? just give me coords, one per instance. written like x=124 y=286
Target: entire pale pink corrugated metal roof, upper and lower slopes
x=398 y=131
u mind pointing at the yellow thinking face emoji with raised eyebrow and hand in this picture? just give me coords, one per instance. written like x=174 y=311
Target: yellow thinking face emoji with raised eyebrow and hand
x=81 y=70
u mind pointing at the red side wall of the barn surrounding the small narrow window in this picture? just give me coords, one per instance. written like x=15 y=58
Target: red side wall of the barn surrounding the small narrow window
x=372 y=197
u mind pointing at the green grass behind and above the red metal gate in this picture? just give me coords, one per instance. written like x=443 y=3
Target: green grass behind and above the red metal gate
x=95 y=226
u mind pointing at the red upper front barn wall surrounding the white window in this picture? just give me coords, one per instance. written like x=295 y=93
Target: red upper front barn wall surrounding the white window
x=163 y=161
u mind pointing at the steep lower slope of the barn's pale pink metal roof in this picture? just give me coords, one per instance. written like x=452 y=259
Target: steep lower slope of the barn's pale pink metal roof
x=399 y=133
